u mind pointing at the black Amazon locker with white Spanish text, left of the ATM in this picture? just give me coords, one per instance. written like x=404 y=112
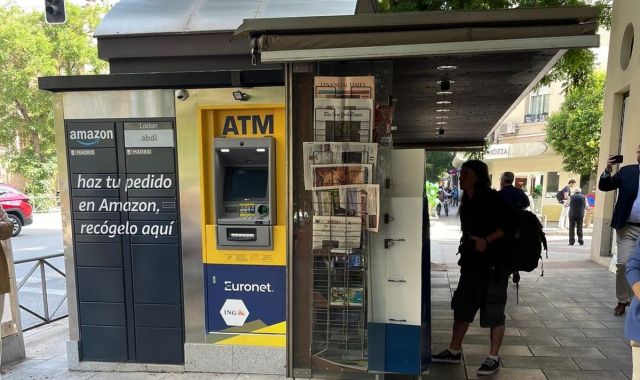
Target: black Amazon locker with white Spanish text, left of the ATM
x=125 y=218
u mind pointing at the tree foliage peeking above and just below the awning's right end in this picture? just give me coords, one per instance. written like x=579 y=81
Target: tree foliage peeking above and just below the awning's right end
x=572 y=69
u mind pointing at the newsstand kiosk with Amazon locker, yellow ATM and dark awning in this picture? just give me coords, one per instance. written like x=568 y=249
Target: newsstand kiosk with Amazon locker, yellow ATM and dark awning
x=269 y=219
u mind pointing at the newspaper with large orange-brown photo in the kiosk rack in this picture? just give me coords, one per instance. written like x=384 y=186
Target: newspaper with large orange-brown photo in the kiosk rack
x=340 y=175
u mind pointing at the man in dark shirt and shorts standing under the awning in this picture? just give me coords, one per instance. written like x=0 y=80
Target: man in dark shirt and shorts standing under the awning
x=485 y=220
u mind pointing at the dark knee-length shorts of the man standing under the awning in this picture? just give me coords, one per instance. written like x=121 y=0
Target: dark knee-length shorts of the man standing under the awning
x=484 y=290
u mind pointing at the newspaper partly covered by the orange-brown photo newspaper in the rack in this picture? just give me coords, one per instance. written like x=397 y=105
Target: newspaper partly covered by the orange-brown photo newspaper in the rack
x=334 y=153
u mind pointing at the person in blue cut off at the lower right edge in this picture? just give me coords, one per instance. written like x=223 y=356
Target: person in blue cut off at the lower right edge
x=632 y=321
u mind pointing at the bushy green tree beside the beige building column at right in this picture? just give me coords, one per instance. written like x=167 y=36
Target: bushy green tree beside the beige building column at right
x=574 y=131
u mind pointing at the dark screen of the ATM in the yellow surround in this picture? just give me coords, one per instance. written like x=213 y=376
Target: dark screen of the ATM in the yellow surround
x=246 y=183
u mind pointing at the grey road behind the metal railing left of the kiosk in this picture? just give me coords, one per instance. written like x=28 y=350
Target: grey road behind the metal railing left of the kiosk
x=42 y=238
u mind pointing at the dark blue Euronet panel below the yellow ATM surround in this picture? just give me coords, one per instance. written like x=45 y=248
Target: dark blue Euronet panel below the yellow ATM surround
x=260 y=288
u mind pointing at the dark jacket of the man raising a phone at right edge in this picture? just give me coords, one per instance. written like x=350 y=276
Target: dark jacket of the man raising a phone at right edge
x=626 y=181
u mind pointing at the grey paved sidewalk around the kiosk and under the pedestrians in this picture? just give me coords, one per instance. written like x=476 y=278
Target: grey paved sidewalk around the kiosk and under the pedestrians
x=562 y=328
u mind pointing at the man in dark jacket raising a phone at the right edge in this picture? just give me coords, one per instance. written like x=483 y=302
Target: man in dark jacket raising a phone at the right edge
x=626 y=219
